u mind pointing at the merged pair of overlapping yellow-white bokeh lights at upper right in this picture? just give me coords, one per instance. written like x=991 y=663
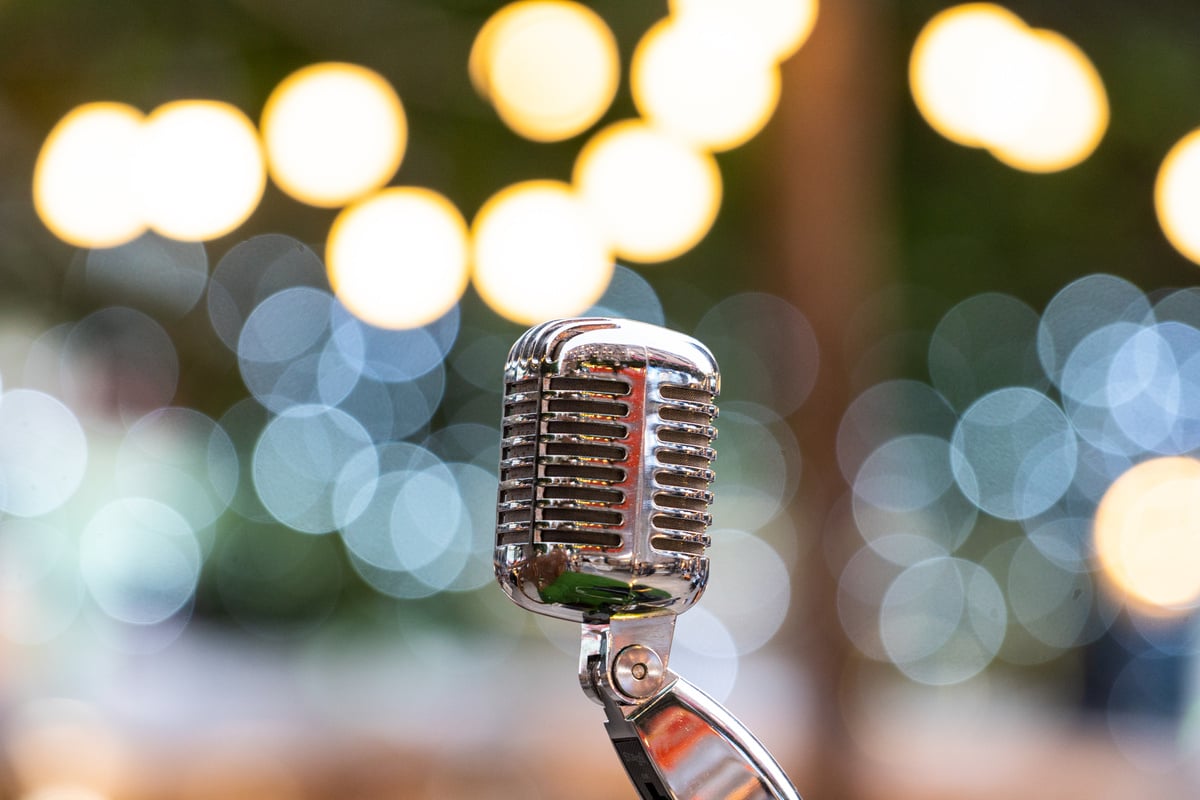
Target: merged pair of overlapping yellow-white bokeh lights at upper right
x=981 y=77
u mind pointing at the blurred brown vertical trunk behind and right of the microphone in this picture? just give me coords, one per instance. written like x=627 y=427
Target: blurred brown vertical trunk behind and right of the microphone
x=832 y=145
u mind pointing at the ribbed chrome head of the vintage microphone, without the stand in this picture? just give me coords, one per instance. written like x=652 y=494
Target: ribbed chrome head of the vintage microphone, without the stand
x=605 y=470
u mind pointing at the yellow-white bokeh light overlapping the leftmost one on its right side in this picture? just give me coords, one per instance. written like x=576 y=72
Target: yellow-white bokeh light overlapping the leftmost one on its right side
x=200 y=170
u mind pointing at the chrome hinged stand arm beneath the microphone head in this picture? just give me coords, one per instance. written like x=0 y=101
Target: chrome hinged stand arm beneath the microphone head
x=675 y=742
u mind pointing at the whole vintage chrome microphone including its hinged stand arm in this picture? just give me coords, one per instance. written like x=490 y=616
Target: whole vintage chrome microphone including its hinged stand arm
x=603 y=519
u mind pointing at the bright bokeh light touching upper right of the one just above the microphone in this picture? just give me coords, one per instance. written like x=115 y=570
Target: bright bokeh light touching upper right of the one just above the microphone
x=656 y=196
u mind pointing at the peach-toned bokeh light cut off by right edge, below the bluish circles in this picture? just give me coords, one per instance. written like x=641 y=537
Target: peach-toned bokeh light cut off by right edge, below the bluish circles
x=1148 y=536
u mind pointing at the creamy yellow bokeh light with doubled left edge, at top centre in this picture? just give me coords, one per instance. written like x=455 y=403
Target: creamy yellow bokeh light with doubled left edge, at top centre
x=549 y=68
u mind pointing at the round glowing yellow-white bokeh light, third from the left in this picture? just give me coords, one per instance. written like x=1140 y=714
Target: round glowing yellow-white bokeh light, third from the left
x=334 y=133
